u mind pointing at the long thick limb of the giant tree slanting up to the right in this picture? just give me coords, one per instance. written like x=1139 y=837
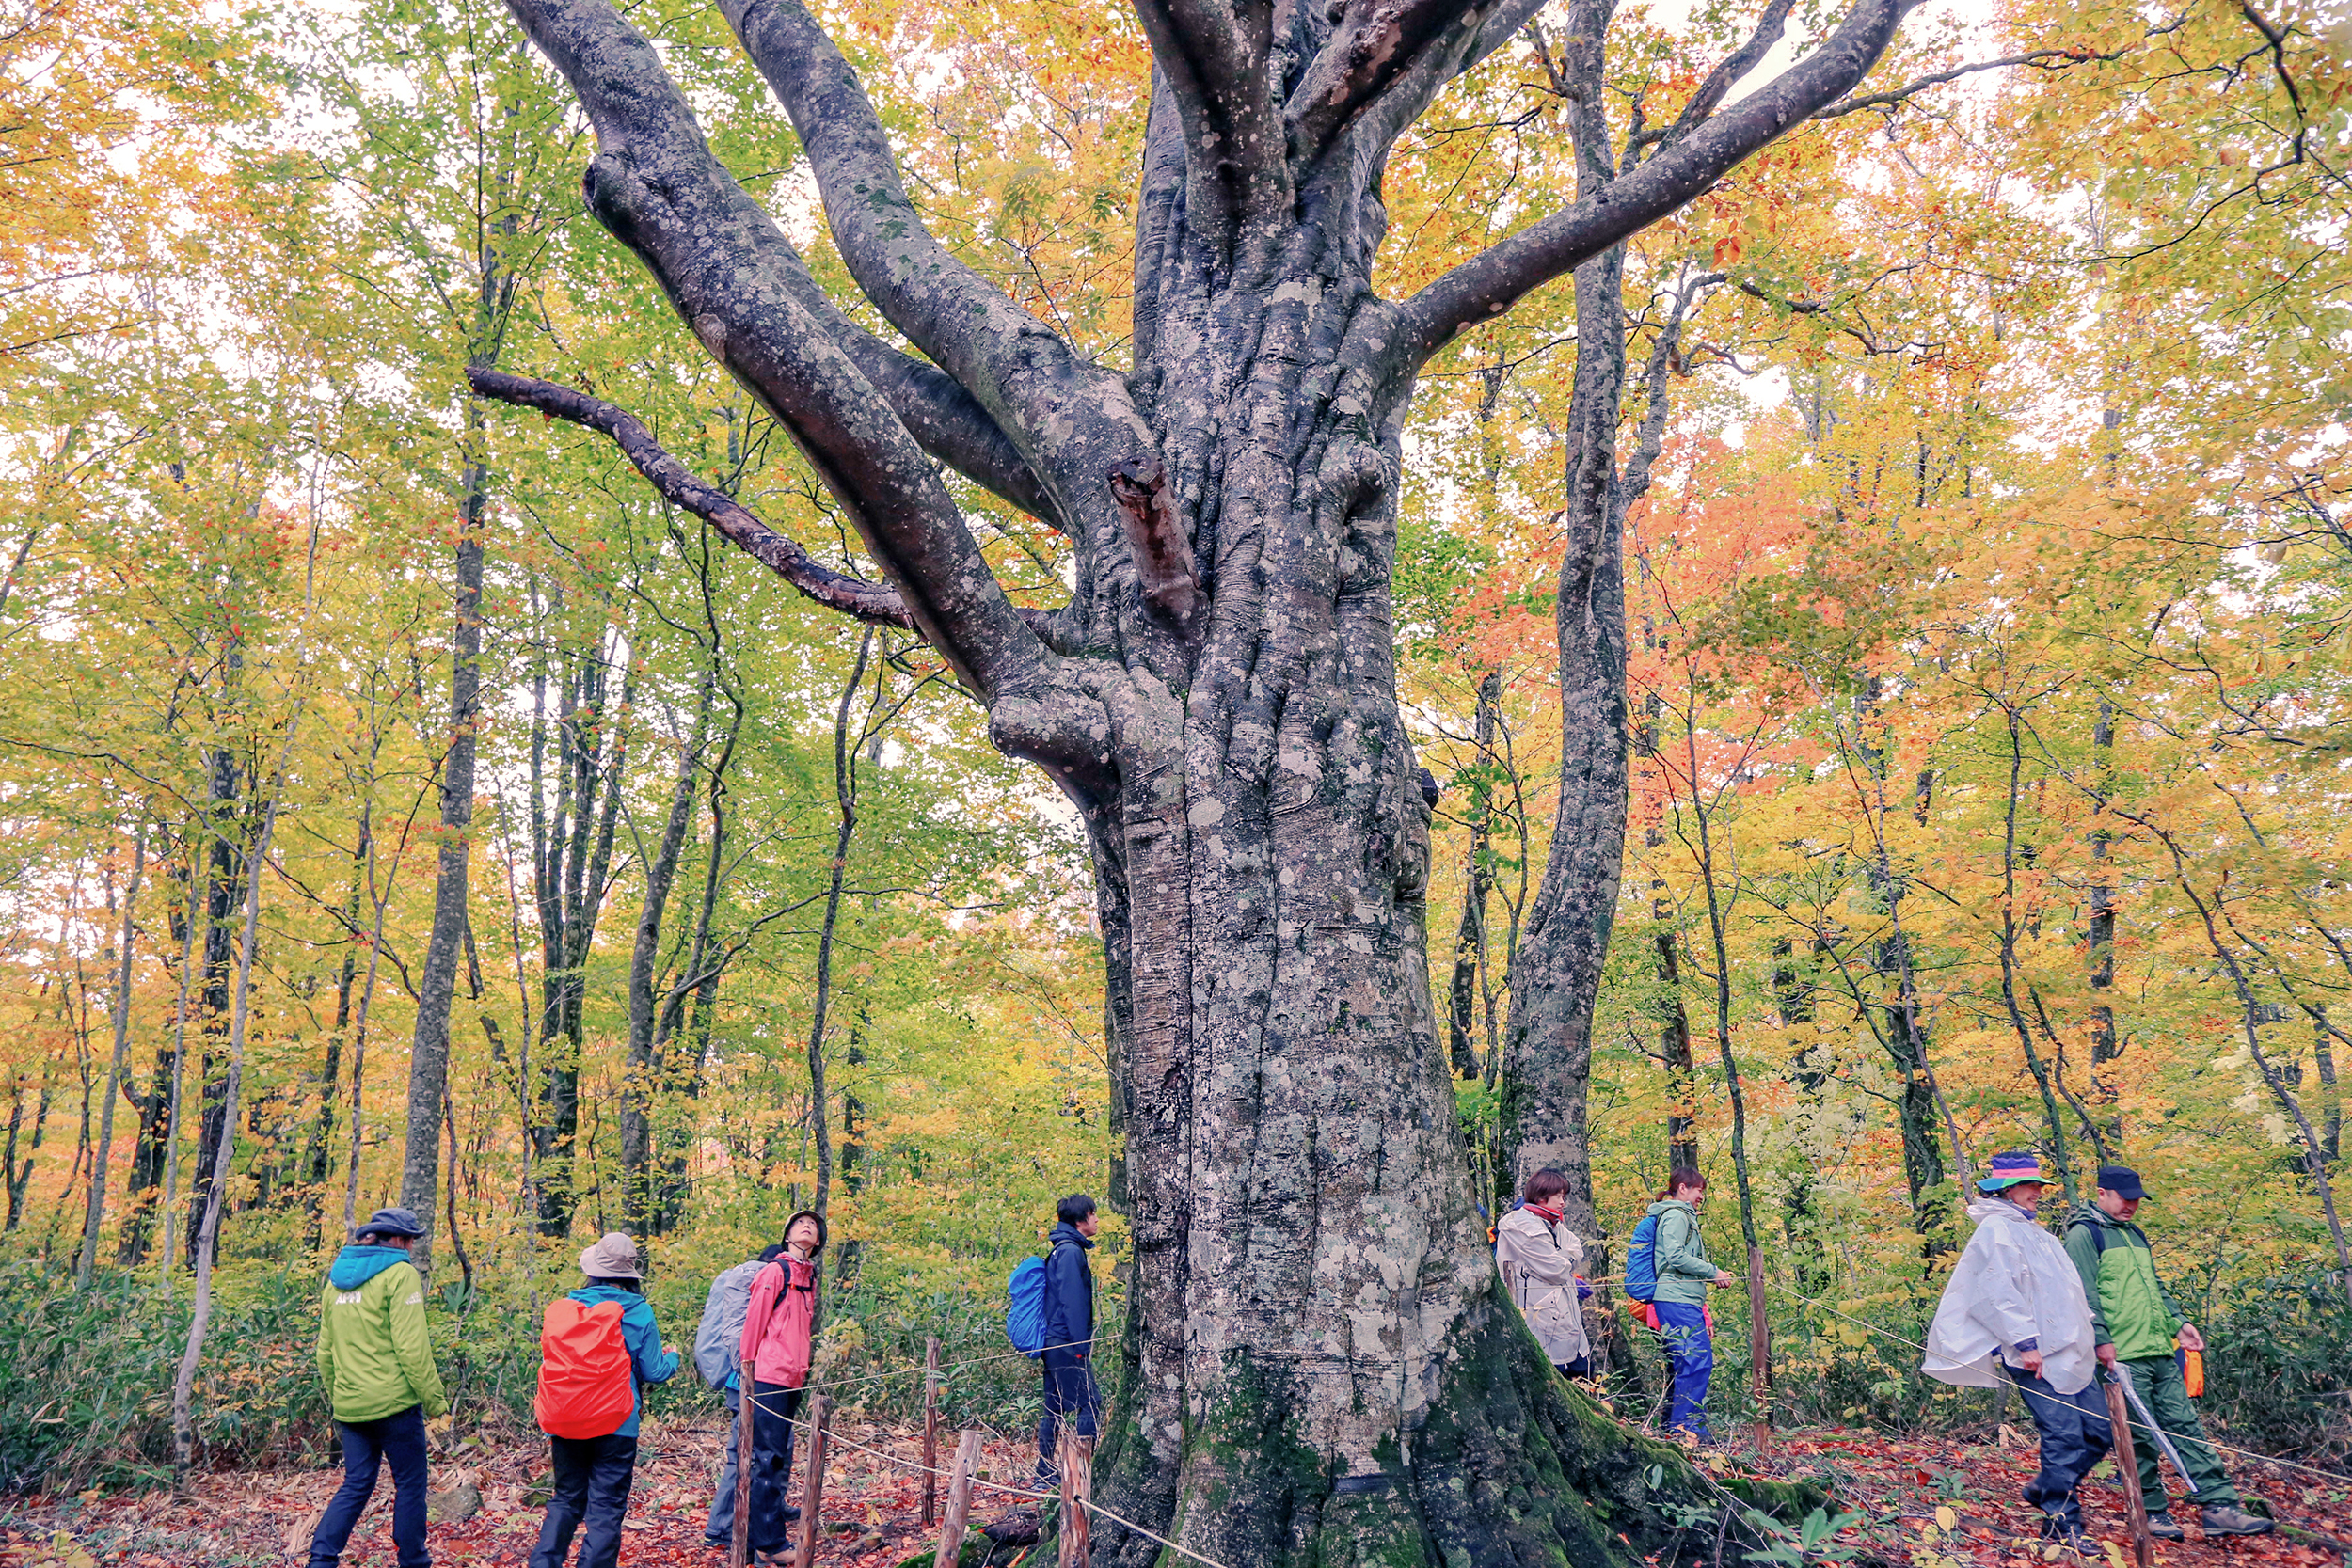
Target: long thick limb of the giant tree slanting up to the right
x=1495 y=281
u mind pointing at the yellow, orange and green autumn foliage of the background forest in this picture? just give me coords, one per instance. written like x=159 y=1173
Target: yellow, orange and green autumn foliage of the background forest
x=408 y=803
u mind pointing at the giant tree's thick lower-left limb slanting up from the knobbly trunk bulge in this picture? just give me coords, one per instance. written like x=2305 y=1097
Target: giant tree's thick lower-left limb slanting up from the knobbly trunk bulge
x=730 y=274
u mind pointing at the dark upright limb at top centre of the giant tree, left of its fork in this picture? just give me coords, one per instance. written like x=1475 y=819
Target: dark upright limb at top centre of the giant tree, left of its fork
x=1215 y=60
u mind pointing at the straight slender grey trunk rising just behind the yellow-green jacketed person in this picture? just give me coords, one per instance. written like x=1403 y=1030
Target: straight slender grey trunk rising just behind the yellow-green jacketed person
x=429 y=1054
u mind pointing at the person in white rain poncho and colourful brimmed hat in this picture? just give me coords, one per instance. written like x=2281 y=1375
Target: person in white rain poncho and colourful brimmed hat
x=2014 y=1311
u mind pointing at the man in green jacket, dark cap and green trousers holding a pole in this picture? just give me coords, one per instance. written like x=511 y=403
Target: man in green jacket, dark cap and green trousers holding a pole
x=2134 y=1325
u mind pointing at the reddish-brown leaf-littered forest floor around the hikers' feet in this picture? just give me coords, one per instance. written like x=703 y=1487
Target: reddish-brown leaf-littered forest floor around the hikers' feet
x=248 y=1520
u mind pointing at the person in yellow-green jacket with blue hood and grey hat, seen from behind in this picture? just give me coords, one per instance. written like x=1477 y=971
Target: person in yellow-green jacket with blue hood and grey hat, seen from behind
x=377 y=1365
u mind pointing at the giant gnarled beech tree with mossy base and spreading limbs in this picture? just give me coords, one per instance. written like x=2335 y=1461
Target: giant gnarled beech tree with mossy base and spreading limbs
x=1318 y=1360
